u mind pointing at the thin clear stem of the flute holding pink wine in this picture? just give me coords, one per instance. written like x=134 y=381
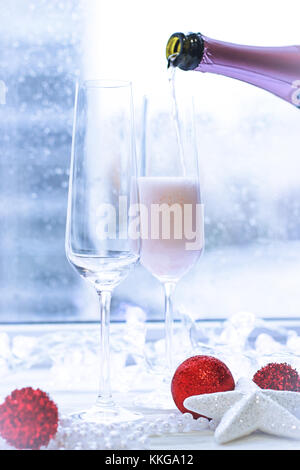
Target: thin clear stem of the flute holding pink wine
x=169 y=288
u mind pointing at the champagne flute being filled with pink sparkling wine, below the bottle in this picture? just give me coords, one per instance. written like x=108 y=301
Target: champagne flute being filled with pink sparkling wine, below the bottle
x=172 y=228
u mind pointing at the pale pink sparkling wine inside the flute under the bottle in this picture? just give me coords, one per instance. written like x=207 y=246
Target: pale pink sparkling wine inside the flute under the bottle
x=168 y=249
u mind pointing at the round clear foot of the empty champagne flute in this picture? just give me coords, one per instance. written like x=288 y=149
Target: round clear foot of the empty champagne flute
x=107 y=414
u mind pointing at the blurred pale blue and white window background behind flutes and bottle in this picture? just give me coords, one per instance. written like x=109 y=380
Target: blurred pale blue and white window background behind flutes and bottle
x=248 y=145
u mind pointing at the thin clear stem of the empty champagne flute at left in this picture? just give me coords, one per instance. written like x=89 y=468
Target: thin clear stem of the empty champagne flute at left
x=104 y=396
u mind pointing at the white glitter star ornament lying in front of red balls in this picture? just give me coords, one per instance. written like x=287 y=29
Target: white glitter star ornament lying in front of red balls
x=249 y=408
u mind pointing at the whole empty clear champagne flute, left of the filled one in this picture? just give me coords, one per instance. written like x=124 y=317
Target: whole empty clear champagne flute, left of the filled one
x=102 y=191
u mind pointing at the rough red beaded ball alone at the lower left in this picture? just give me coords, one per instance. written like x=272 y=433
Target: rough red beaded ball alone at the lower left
x=28 y=419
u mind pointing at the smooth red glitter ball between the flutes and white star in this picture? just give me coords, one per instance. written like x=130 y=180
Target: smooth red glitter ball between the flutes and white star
x=198 y=375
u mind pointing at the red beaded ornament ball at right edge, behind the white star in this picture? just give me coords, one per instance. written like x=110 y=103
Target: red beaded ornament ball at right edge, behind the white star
x=276 y=376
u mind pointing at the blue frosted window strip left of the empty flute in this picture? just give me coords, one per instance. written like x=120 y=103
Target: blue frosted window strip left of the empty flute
x=39 y=60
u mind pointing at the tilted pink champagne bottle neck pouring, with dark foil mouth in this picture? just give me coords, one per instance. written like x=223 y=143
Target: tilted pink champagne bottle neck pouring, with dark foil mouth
x=275 y=69
